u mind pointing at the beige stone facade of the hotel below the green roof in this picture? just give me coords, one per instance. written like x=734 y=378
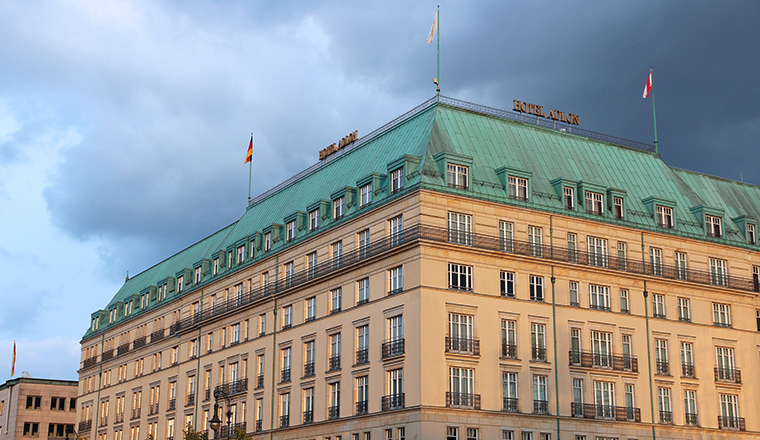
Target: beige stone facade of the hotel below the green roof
x=487 y=335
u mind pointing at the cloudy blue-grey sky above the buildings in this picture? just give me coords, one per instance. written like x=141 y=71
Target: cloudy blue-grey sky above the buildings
x=124 y=124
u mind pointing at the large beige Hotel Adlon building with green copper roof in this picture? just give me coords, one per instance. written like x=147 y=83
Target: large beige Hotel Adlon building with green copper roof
x=462 y=273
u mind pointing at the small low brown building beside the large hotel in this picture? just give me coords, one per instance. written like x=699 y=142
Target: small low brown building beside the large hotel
x=41 y=408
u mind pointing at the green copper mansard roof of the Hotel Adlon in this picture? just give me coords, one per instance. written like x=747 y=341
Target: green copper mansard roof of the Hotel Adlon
x=489 y=144
